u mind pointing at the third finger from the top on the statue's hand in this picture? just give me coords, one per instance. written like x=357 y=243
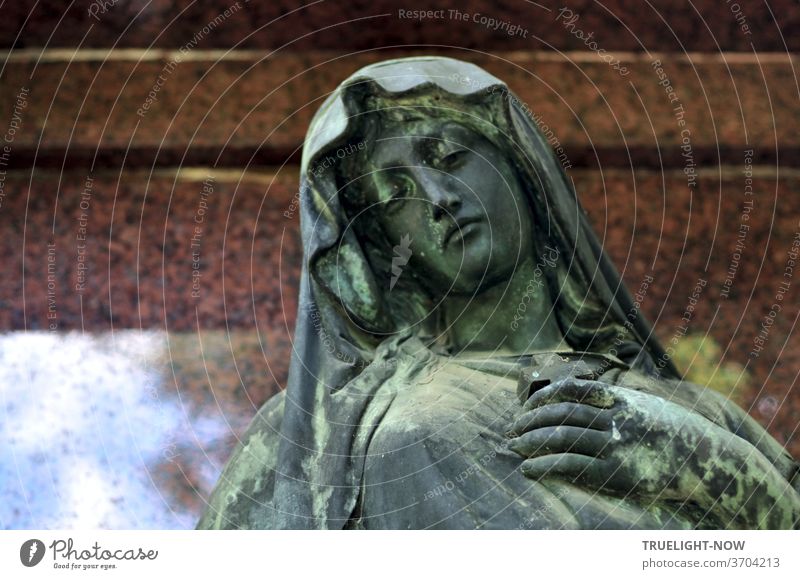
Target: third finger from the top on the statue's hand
x=560 y=439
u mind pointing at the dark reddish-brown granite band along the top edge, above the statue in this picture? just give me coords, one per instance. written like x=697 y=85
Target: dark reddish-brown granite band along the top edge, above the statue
x=668 y=25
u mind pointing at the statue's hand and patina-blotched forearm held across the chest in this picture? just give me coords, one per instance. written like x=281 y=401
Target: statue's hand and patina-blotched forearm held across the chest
x=637 y=444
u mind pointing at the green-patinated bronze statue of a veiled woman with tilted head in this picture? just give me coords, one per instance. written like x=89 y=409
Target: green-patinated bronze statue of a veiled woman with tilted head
x=466 y=355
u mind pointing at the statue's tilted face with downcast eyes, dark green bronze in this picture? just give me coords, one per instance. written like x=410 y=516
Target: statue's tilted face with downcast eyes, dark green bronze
x=447 y=194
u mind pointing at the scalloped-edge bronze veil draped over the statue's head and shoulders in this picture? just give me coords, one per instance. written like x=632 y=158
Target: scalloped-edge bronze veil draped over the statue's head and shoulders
x=342 y=319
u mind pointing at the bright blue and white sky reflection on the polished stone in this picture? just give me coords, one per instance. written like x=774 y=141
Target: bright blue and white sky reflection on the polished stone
x=85 y=421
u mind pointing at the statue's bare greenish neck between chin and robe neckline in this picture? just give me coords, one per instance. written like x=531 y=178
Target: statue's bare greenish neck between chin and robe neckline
x=512 y=317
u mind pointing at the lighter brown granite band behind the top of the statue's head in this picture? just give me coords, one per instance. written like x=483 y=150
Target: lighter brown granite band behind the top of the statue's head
x=245 y=109
